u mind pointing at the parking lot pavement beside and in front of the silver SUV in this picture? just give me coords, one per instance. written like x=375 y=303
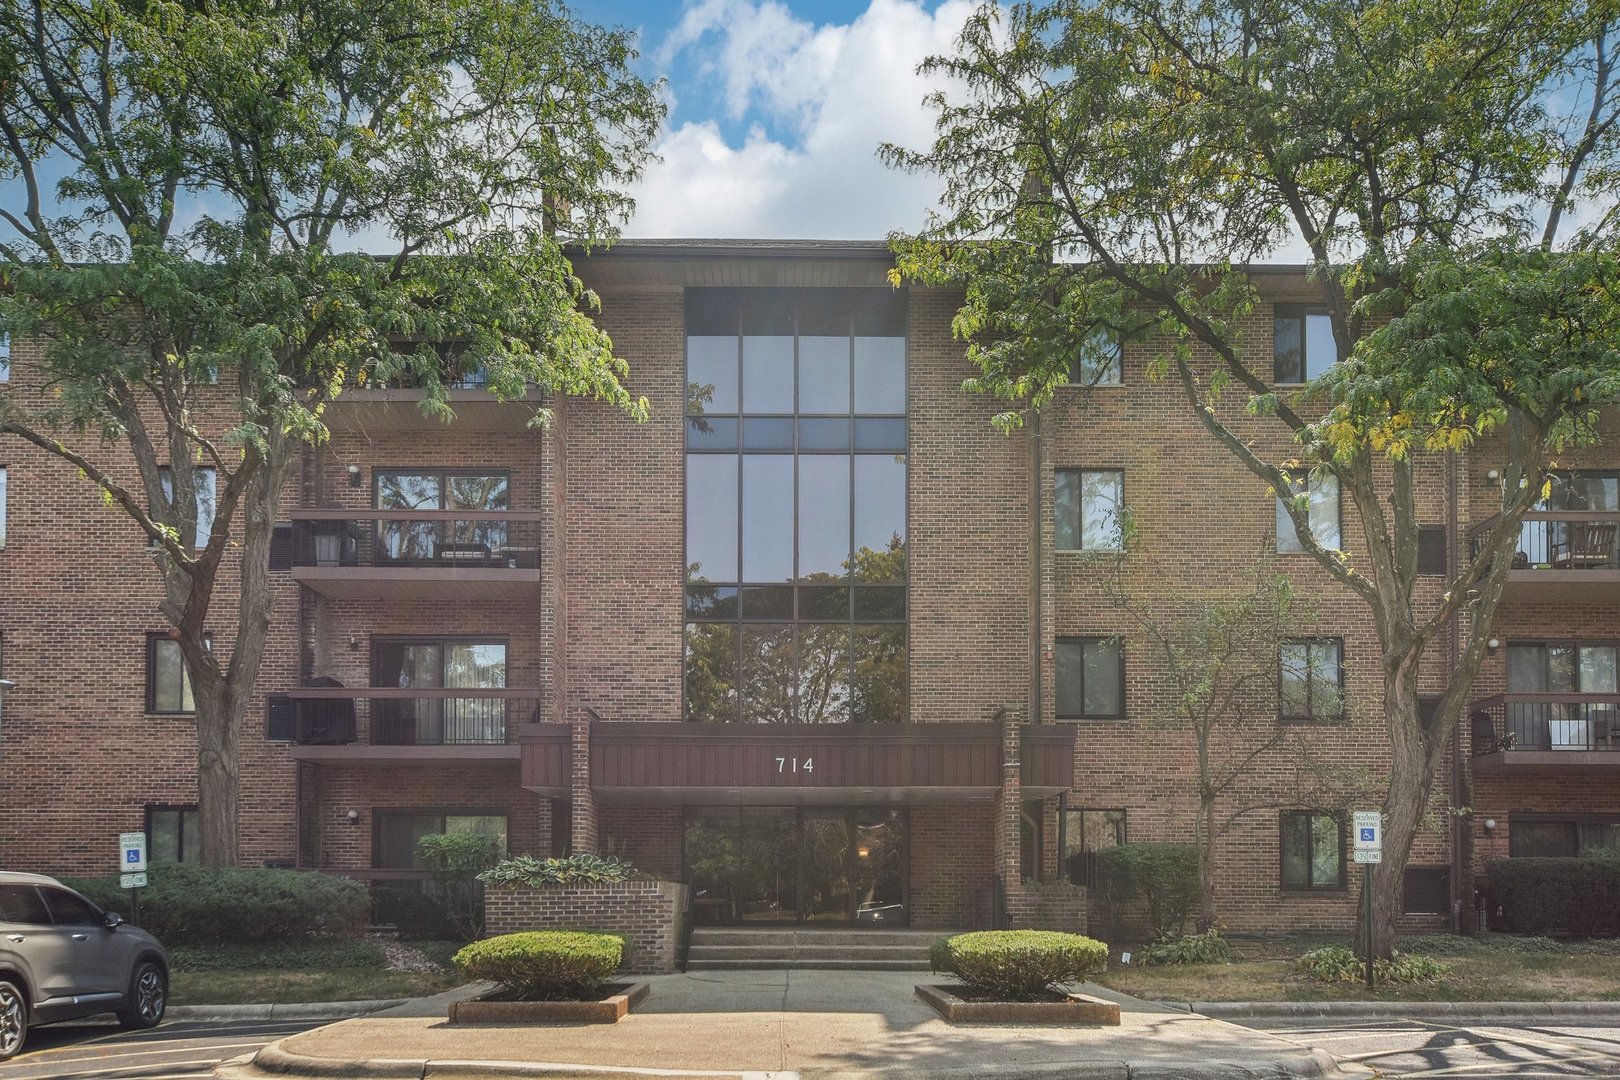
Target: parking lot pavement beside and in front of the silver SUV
x=103 y=1052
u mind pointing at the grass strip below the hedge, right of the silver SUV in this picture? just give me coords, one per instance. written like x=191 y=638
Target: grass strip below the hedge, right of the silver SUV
x=299 y=974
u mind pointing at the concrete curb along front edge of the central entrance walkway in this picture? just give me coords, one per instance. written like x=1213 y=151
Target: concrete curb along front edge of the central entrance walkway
x=278 y=1061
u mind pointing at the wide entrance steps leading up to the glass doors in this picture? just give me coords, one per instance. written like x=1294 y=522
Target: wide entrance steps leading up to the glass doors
x=722 y=948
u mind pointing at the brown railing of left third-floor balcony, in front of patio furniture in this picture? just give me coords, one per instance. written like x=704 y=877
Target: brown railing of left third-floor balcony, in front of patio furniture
x=417 y=538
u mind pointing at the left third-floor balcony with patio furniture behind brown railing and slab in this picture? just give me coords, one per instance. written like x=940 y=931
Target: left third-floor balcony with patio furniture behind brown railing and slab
x=427 y=555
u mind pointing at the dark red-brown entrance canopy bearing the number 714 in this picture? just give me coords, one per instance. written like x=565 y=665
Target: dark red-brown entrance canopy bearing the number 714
x=798 y=765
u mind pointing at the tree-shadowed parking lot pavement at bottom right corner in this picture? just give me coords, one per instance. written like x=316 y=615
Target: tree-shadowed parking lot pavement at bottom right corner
x=1460 y=1048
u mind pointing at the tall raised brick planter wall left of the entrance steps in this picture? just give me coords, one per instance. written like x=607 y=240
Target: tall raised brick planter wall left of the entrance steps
x=647 y=912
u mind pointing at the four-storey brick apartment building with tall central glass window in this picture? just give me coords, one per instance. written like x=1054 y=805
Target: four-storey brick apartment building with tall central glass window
x=816 y=639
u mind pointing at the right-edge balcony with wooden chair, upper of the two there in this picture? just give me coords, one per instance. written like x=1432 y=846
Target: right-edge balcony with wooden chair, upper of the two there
x=1564 y=556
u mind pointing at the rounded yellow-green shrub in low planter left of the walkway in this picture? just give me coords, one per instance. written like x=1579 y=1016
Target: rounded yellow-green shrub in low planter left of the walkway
x=545 y=964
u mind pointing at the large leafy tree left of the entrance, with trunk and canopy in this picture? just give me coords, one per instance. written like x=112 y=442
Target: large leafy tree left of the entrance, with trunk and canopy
x=221 y=168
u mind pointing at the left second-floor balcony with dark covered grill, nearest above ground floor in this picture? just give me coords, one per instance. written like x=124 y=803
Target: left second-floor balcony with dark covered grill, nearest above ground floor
x=394 y=726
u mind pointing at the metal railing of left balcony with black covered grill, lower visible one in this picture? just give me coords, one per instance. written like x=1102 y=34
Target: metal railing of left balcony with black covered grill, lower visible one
x=385 y=716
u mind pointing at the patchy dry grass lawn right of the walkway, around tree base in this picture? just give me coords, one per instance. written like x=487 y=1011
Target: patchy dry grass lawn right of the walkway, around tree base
x=1494 y=967
